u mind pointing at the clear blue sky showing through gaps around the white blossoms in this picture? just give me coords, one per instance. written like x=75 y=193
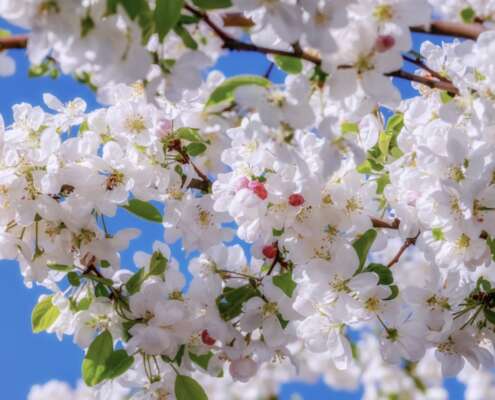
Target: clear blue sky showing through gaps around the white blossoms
x=27 y=359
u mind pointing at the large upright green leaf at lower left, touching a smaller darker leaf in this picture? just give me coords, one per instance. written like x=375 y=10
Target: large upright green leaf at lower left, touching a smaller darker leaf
x=94 y=366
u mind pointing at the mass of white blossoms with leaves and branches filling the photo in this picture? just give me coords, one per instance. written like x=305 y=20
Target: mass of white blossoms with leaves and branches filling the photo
x=296 y=204
